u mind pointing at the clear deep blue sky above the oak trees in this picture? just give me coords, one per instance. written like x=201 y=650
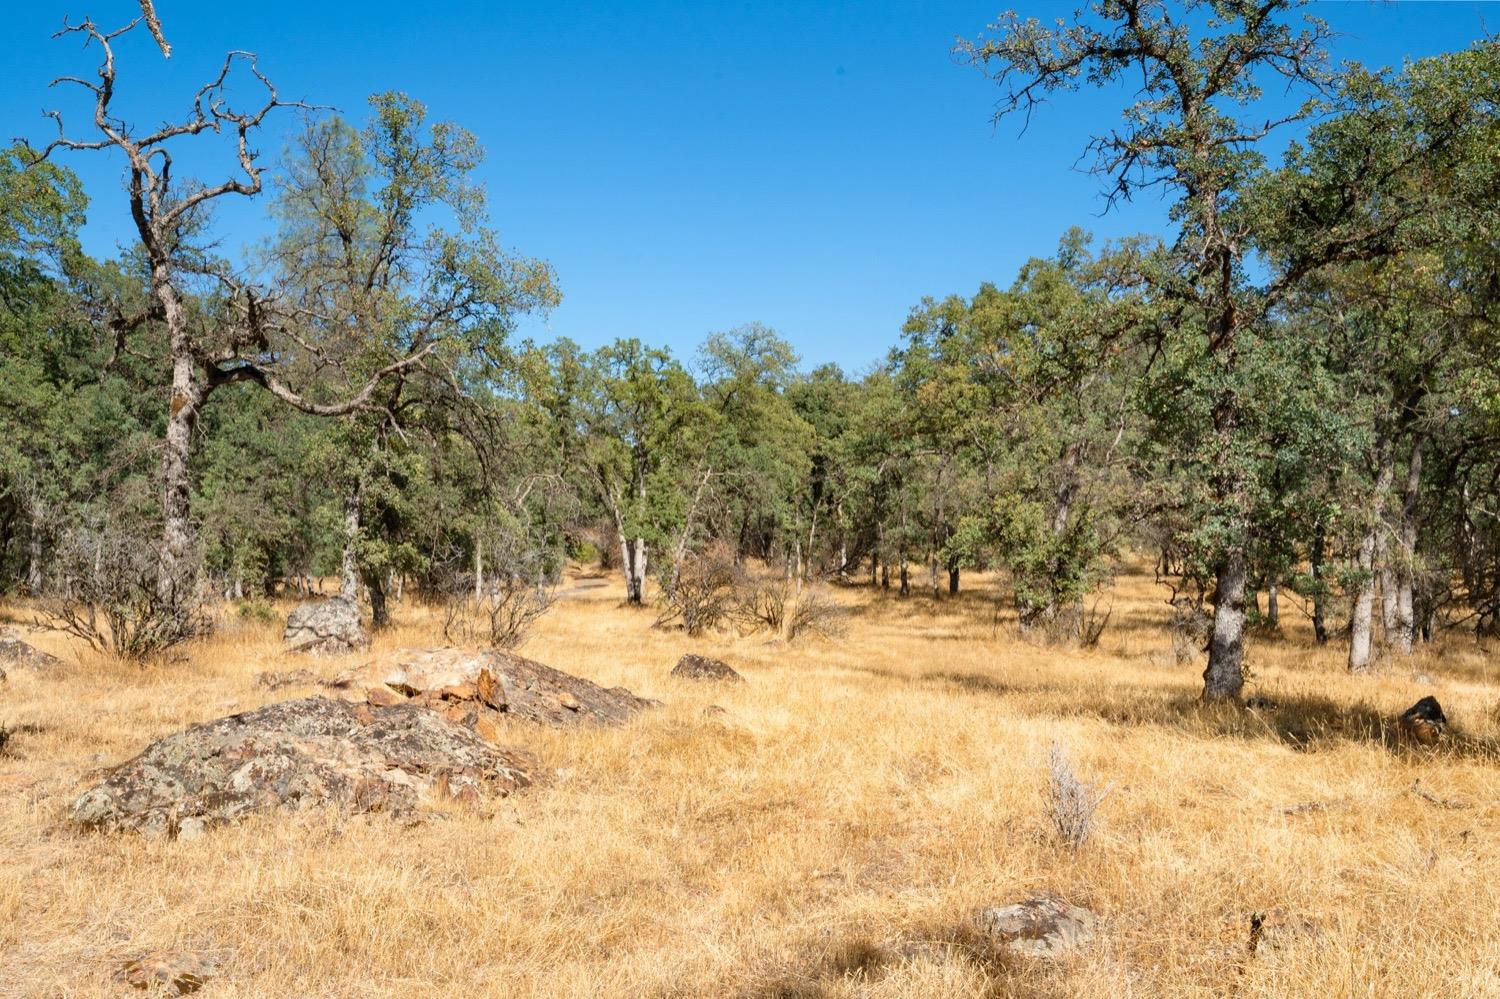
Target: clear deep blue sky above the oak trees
x=686 y=167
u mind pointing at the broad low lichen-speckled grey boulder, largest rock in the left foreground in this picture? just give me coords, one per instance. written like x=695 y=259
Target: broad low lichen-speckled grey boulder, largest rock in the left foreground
x=301 y=754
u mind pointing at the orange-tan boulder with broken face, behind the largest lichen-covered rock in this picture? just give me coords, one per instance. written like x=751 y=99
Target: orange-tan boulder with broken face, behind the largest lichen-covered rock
x=482 y=686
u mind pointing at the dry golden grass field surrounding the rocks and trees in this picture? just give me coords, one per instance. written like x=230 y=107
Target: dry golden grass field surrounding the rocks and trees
x=854 y=797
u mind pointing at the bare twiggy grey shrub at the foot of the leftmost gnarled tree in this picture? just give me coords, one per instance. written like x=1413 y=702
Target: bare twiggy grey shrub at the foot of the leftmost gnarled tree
x=110 y=596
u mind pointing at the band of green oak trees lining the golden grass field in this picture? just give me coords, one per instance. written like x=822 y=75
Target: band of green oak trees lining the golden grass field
x=1291 y=398
